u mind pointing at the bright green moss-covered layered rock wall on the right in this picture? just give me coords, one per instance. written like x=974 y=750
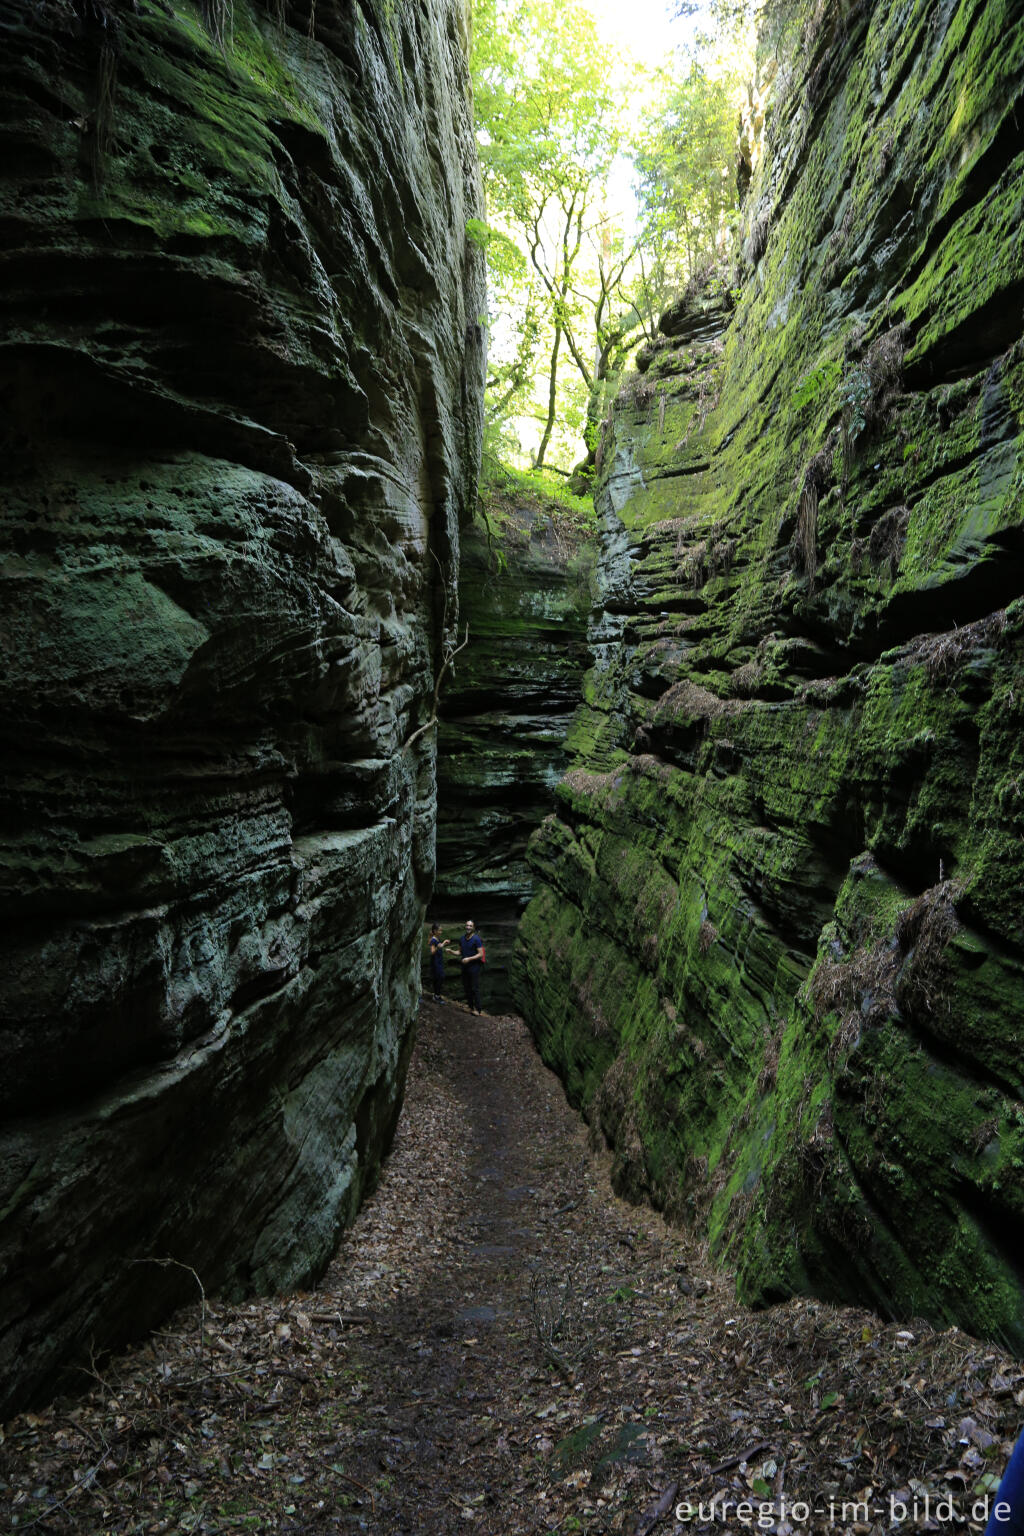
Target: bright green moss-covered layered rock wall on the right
x=778 y=948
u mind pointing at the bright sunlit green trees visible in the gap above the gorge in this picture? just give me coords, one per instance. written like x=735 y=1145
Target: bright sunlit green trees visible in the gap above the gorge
x=572 y=283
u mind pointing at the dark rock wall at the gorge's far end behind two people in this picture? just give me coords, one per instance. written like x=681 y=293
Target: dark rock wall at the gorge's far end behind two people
x=506 y=713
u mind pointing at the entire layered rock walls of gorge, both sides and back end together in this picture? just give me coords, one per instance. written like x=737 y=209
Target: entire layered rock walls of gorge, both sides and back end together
x=756 y=776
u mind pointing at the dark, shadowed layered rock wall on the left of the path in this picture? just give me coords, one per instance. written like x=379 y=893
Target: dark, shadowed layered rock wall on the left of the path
x=240 y=388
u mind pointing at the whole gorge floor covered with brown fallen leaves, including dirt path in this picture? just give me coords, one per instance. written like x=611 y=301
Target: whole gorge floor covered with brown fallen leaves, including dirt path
x=504 y=1346
